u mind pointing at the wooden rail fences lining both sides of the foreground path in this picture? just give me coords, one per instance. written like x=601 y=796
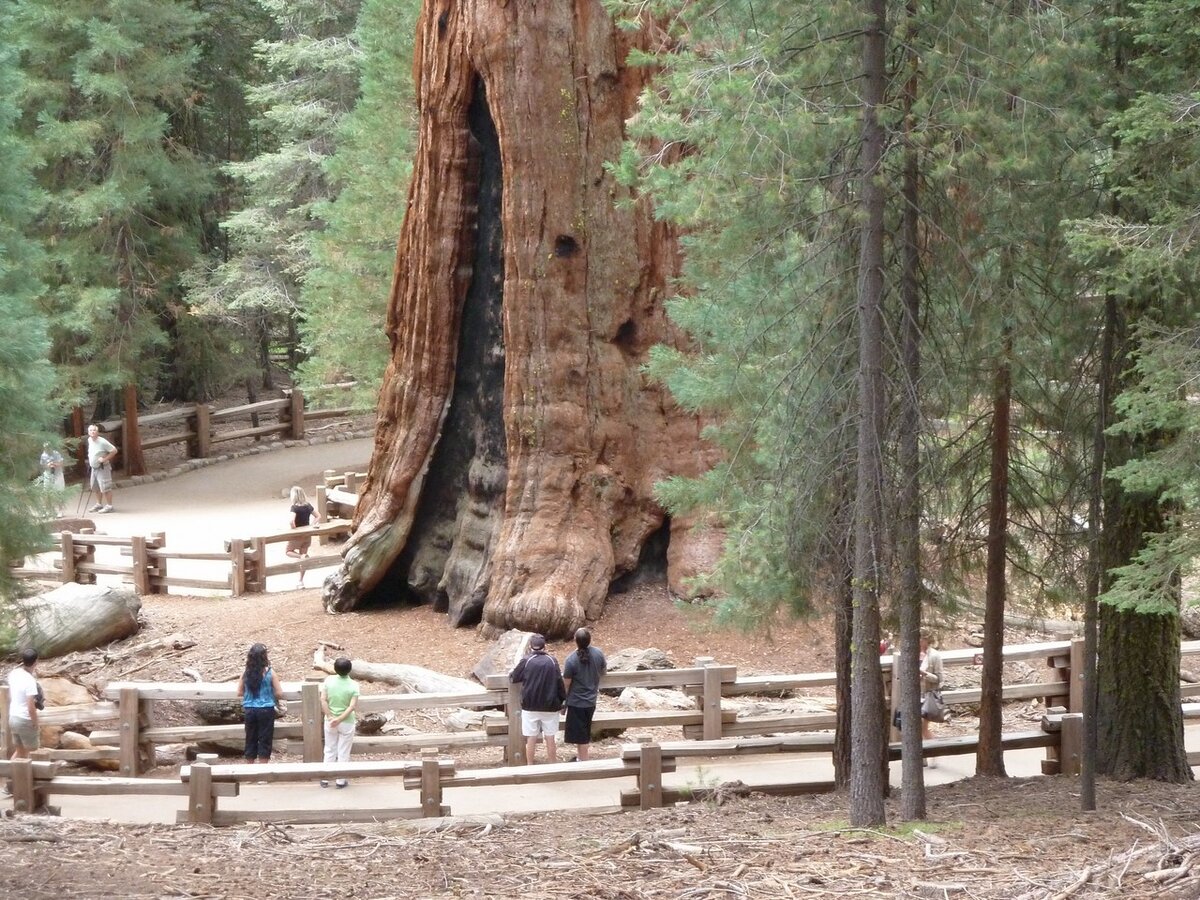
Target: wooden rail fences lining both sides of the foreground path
x=709 y=731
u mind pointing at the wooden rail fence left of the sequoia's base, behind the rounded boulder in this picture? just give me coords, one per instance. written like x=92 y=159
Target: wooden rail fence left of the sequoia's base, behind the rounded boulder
x=242 y=567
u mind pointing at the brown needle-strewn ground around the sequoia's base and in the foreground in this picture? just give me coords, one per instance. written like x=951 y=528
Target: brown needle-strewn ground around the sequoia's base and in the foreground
x=983 y=839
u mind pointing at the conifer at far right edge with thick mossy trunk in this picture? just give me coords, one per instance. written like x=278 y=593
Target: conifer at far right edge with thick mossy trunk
x=1145 y=256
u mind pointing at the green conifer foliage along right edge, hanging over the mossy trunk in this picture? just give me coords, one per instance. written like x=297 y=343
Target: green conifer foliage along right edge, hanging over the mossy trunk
x=1145 y=253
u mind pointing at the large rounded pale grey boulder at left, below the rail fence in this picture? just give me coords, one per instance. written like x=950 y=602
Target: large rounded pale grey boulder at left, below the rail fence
x=75 y=617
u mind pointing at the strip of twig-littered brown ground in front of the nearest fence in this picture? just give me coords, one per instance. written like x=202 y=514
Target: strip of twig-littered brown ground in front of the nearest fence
x=987 y=839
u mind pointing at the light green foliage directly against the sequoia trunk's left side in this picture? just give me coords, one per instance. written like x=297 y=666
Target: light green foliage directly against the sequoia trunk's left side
x=355 y=253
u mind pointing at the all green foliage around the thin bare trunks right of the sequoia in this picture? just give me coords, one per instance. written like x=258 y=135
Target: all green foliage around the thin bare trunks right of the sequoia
x=748 y=142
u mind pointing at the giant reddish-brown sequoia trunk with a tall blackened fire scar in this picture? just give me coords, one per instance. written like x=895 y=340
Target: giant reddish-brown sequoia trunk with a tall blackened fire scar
x=518 y=443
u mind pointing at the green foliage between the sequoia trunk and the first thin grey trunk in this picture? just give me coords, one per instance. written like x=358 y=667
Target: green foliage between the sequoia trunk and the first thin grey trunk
x=754 y=164
